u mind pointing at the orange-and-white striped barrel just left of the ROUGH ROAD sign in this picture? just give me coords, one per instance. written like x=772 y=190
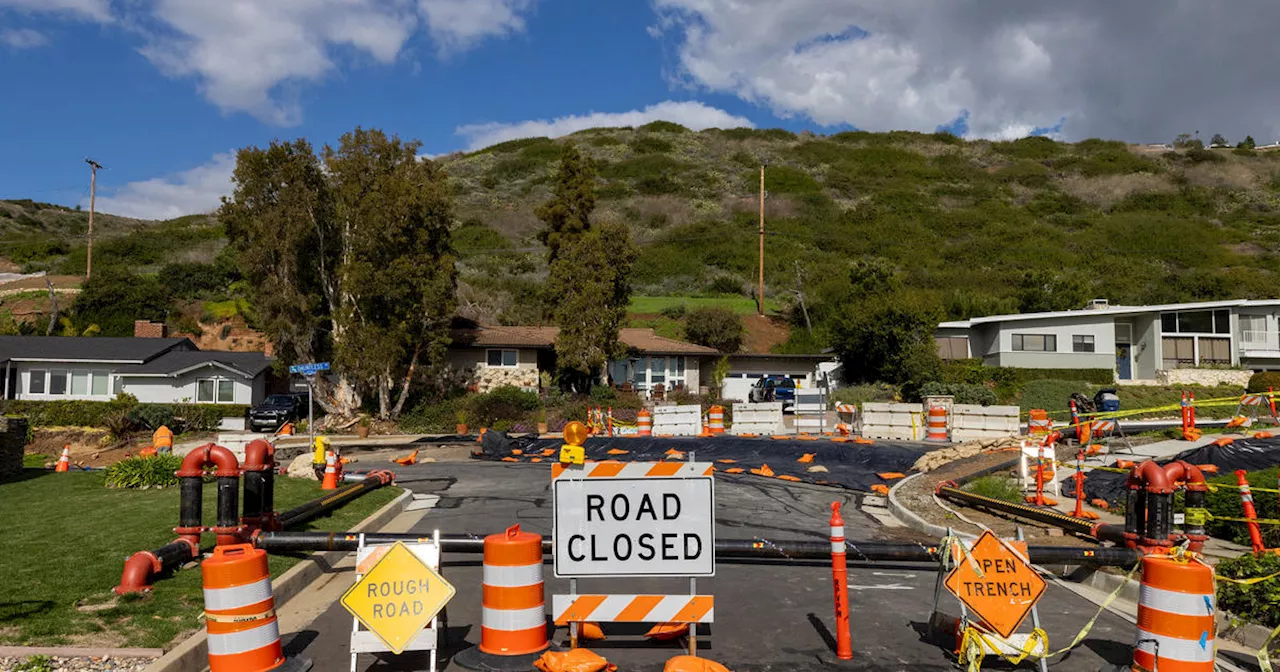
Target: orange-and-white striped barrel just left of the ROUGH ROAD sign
x=240 y=611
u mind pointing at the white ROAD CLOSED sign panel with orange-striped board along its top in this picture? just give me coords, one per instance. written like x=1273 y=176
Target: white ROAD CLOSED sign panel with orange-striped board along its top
x=636 y=519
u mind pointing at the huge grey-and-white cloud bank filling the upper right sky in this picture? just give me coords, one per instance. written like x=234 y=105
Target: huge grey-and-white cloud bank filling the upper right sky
x=1136 y=71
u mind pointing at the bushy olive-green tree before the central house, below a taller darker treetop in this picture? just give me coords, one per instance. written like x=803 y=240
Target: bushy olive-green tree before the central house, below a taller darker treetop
x=589 y=290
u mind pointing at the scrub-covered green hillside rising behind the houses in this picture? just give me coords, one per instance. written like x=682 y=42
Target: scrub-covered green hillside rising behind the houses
x=980 y=227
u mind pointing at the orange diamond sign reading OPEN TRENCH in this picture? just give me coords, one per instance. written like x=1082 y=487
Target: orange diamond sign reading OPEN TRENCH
x=1002 y=589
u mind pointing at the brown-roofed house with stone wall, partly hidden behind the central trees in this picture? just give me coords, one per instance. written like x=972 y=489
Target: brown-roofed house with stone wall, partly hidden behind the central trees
x=496 y=356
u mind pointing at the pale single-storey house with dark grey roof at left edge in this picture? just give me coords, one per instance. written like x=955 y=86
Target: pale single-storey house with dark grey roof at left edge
x=156 y=371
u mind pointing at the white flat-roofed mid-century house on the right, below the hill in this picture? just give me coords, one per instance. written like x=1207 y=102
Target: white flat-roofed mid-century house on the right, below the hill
x=1140 y=344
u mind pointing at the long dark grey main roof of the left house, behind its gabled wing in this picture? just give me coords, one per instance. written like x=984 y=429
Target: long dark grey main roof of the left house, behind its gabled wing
x=125 y=350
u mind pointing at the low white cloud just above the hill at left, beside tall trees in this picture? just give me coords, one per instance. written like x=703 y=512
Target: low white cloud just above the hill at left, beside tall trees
x=194 y=191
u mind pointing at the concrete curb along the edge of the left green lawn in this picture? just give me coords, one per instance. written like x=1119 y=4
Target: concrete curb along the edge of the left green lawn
x=193 y=653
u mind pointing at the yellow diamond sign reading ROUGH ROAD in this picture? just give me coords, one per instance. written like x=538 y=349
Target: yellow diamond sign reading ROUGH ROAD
x=399 y=597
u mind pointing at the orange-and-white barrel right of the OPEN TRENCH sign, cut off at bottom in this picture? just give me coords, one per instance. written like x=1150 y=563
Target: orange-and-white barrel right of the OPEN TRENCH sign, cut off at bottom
x=1176 y=616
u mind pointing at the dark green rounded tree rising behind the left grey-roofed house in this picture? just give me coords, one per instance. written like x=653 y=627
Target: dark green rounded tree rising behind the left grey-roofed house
x=113 y=299
